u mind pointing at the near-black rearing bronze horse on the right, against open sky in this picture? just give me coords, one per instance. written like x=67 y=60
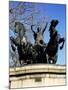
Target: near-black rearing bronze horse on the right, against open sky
x=53 y=44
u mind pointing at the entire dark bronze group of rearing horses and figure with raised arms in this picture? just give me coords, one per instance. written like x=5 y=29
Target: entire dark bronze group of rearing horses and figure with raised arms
x=40 y=52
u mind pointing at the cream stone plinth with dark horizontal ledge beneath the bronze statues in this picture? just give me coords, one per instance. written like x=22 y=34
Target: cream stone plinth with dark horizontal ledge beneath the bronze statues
x=37 y=75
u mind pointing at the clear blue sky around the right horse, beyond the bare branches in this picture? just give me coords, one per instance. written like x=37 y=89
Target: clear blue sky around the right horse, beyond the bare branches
x=53 y=11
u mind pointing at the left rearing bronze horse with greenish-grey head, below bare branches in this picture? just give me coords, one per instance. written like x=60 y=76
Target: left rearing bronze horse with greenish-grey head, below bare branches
x=25 y=49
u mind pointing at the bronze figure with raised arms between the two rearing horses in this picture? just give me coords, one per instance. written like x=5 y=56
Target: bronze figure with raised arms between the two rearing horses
x=39 y=43
